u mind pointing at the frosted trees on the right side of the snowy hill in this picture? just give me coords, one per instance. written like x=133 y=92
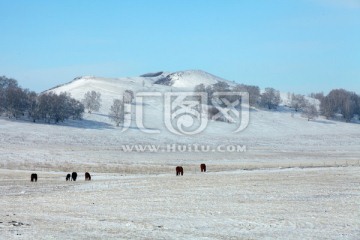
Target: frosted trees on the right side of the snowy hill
x=338 y=102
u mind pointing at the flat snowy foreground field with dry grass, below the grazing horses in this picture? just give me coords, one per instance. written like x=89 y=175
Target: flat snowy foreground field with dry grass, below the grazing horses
x=317 y=203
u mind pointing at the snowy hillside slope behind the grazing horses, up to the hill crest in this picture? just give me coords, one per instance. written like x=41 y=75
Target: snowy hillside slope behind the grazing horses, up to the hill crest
x=272 y=138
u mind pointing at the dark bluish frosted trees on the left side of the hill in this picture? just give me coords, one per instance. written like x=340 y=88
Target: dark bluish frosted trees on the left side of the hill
x=19 y=103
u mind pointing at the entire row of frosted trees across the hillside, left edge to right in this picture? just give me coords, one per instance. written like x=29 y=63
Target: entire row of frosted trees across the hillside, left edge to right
x=17 y=102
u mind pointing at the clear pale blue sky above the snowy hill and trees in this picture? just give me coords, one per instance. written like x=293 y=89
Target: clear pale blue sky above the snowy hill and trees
x=299 y=46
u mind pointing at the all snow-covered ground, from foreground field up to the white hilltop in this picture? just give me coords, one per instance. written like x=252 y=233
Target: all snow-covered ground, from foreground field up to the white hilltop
x=297 y=179
